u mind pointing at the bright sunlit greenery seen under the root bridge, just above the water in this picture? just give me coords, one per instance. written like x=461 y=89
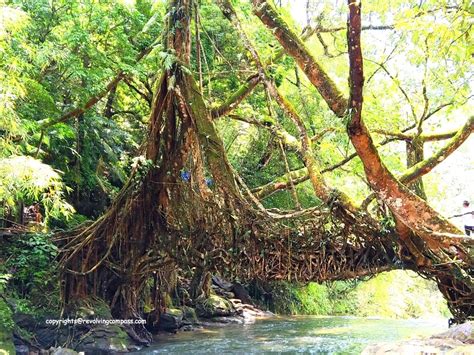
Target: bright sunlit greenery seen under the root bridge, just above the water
x=396 y=294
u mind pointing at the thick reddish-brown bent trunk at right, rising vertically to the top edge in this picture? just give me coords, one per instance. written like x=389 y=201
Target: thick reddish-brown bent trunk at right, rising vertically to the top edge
x=406 y=206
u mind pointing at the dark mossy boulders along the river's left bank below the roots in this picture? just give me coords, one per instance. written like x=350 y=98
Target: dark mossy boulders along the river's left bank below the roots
x=225 y=303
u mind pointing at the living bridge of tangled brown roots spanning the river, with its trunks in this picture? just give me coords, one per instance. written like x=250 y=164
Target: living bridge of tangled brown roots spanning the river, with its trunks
x=162 y=222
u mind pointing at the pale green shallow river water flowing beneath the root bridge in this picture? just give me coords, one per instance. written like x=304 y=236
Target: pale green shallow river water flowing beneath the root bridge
x=289 y=335
